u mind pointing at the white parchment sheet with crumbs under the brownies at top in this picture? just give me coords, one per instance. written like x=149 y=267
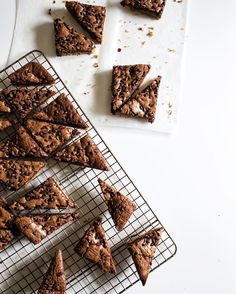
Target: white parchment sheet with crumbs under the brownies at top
x=129 y=38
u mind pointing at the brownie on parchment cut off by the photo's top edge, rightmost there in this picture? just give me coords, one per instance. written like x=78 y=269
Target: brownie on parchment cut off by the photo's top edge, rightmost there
x=152 y=7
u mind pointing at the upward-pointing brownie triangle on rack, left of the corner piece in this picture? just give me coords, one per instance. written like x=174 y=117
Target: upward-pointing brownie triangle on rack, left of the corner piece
x=95 y=248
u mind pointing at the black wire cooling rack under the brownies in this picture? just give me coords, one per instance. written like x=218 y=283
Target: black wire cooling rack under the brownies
x=22 y=264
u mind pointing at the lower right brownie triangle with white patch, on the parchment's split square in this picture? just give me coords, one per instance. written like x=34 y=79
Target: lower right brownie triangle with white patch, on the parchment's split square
x=143 y=104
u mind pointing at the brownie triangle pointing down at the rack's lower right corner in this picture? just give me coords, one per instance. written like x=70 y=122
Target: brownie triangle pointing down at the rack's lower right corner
x=143 y=250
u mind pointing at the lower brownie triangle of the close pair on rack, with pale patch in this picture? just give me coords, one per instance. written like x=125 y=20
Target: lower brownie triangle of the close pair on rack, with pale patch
x=37 y=227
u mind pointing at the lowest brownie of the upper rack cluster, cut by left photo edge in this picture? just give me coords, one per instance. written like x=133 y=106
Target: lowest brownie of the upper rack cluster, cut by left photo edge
x=16 y=173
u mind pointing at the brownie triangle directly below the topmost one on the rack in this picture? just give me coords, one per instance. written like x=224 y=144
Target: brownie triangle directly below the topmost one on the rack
x=23 y=101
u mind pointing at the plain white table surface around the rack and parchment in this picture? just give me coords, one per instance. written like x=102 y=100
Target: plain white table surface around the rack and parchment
x=189 y=178
